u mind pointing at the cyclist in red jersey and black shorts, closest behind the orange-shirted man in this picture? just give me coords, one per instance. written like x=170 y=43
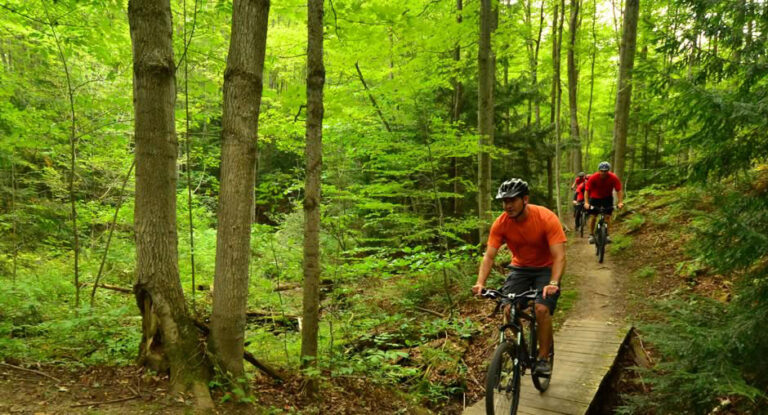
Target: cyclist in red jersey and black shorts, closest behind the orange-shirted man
x=599 y=193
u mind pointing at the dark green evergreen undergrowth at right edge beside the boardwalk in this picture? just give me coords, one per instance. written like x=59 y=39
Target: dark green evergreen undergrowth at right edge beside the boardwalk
x=714 y=352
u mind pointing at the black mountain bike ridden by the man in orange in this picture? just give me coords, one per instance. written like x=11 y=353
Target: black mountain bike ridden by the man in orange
x=516 y=353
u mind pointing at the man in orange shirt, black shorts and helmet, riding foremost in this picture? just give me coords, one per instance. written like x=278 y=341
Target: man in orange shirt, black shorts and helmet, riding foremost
x=536 y=239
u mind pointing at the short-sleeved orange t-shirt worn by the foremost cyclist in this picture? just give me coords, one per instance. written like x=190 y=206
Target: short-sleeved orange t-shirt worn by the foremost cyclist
x=529 y=240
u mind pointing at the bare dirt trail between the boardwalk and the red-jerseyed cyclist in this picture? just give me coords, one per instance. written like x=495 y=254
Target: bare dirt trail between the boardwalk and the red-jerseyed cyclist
x=599 y=293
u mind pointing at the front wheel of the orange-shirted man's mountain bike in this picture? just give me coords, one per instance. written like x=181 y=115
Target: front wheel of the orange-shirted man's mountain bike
x=502 y=388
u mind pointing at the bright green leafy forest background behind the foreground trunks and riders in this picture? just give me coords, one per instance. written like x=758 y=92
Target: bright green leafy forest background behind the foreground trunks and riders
x=400 y=178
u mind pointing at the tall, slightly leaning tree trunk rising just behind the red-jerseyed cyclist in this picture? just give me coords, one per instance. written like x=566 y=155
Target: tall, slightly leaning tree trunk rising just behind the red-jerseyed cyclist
x=623 y=97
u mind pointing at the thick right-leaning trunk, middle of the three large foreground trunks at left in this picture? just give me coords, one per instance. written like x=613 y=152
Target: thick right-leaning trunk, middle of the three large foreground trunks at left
x=242 y=99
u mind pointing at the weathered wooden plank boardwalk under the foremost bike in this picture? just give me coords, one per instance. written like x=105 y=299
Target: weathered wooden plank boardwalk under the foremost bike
x=585 y=350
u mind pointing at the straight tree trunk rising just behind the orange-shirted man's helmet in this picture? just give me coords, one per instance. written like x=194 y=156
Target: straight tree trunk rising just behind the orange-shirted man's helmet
x=485 y=63
